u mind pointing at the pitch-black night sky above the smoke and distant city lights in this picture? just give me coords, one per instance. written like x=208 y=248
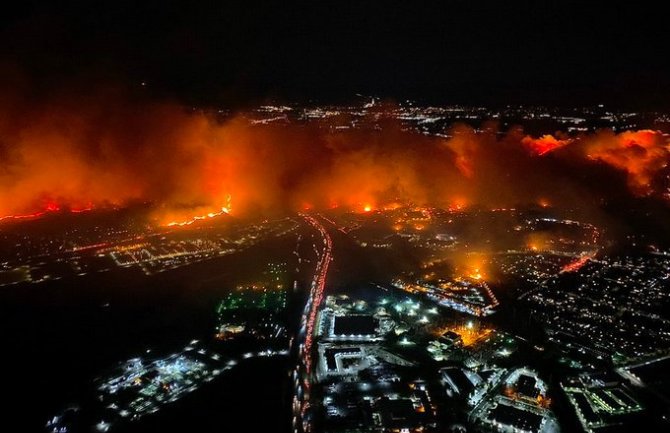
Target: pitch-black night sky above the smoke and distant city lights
x=245 y=52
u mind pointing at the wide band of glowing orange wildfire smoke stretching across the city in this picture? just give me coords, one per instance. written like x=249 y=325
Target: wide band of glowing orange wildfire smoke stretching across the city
x=78 y=154
